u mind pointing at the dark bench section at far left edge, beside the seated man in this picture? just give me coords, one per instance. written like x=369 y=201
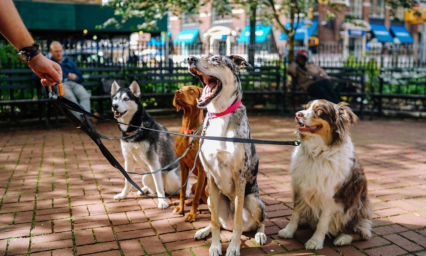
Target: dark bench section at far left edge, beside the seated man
x=21 y=96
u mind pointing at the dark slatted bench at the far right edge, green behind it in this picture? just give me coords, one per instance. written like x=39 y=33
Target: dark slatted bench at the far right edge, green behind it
x=400 y=91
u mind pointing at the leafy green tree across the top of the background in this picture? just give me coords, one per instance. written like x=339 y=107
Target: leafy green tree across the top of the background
x=266 y=11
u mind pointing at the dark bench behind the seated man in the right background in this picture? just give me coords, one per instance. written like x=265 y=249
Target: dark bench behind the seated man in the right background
x=348 y=82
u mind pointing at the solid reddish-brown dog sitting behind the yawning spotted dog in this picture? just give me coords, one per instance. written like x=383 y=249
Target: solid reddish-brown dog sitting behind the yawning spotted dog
x=186 y=99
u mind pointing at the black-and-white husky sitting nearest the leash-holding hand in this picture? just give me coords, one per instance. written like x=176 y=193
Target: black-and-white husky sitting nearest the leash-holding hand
x=143 y=146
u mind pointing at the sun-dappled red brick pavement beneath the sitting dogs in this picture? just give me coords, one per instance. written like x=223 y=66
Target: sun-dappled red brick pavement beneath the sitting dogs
x=57 y=196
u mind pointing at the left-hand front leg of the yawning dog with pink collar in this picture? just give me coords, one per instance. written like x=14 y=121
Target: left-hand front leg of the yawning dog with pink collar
x=214 y=194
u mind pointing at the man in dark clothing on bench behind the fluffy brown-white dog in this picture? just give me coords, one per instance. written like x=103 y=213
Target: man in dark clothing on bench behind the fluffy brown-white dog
x=312 y=78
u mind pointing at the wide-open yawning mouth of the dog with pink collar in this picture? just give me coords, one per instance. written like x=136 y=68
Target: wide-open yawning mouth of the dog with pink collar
x=211 y=87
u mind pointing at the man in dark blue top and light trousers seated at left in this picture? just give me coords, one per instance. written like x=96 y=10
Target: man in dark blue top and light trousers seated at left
x=71 y=78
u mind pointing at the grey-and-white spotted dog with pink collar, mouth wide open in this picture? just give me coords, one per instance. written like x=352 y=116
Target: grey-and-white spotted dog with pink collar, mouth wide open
x=231 y=168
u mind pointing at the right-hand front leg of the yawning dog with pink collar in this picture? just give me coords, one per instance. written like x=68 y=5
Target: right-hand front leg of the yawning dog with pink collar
x=234 y=246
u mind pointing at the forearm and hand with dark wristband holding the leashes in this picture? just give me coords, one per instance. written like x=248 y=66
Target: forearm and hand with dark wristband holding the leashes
x=13 y=29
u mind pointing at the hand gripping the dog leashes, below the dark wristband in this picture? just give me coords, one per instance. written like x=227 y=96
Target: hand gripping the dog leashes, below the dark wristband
x=49 y=71
